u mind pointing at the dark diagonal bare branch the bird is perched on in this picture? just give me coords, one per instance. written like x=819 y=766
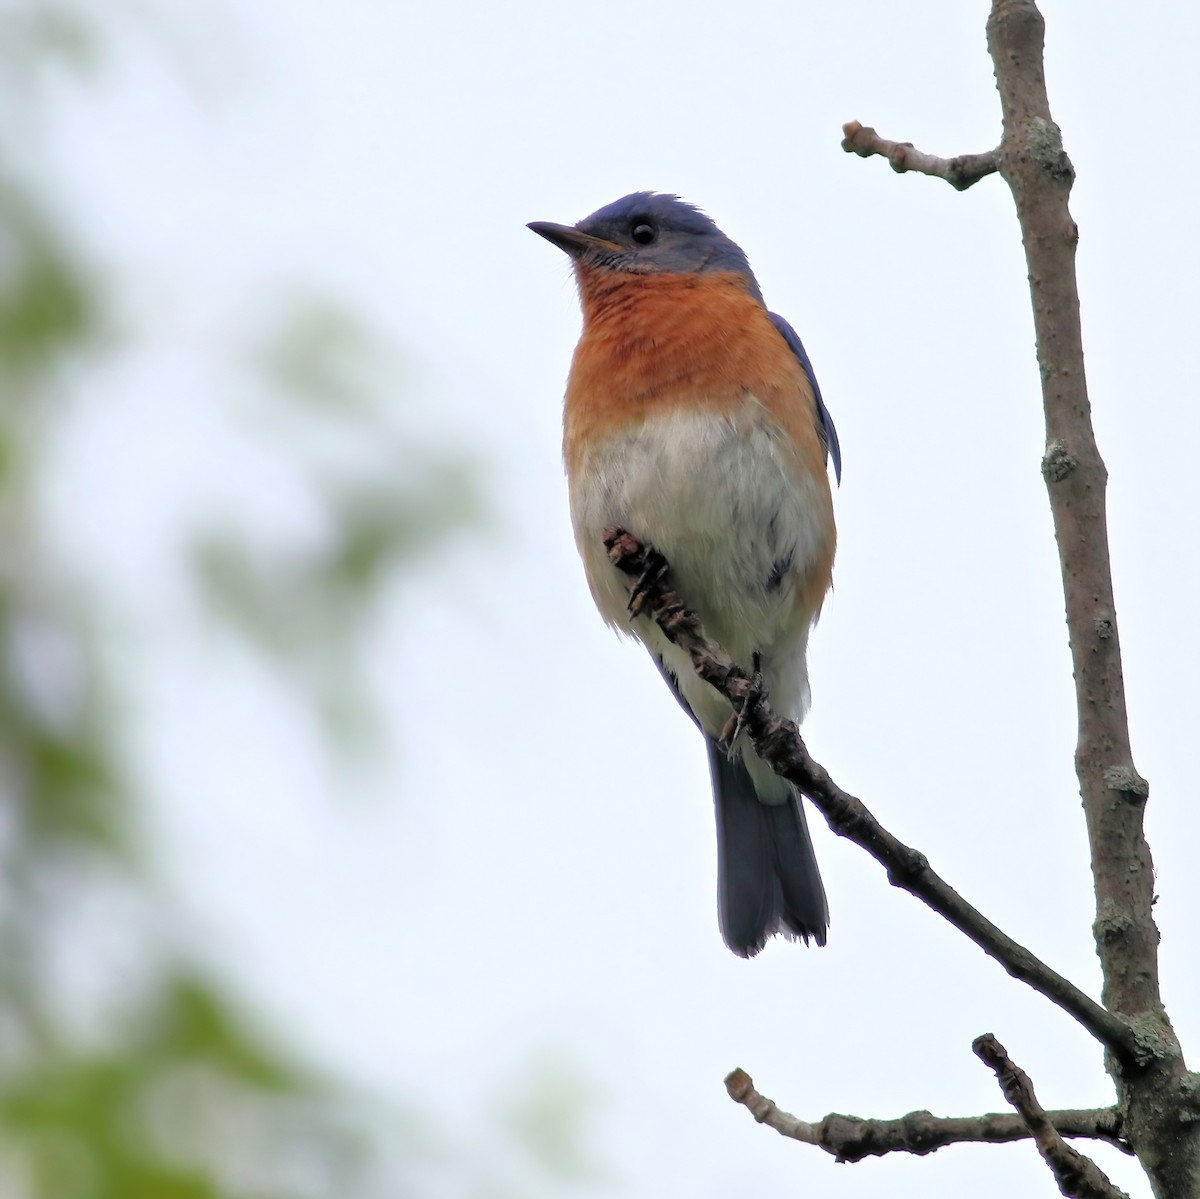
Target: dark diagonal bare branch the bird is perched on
x=779 y=744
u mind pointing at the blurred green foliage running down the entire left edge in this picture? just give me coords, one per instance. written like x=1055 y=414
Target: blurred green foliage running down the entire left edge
x=182 y=1095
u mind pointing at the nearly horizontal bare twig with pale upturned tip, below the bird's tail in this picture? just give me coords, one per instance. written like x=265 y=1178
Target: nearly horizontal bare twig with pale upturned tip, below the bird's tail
x=853 y=1140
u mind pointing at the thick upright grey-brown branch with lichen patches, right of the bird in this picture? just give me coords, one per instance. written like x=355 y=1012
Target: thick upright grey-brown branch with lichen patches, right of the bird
x=1036 y=167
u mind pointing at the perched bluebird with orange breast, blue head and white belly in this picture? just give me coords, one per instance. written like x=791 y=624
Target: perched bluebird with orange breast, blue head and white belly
x=693 y=421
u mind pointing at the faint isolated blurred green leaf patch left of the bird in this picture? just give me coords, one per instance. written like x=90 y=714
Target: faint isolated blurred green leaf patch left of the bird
x=327 y=392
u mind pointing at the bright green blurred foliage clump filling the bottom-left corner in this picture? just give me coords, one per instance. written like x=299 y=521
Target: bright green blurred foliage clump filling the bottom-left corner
x=188 y=1102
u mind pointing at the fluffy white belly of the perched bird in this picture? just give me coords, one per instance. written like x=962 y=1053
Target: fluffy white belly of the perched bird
x=715 y=497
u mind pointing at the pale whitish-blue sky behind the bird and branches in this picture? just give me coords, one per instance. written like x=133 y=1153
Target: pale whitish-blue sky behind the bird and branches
x=537 y=870
